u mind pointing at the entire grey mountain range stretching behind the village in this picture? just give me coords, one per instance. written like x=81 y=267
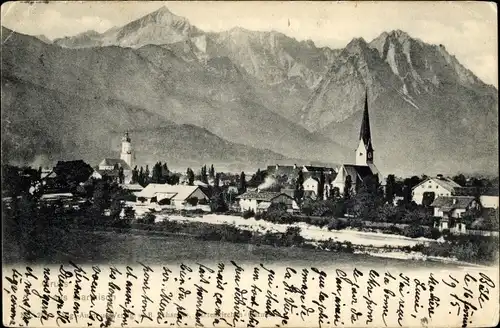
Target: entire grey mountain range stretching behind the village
x=243 y=98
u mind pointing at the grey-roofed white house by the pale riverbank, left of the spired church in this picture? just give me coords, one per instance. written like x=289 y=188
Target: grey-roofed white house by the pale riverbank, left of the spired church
x=259 y=201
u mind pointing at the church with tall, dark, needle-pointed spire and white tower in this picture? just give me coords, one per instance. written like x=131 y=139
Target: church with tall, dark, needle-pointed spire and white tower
x=364 y=159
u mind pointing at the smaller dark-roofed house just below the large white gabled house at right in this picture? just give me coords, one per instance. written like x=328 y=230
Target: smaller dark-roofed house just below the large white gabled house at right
x=453 y=206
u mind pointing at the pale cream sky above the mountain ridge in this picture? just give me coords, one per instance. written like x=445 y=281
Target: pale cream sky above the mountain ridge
x=468 y=30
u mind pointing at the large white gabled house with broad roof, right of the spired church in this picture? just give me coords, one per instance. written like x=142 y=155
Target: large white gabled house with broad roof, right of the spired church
x=433 y=188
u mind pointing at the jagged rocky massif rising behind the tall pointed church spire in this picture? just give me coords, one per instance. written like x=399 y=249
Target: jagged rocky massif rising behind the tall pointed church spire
x=430 y=114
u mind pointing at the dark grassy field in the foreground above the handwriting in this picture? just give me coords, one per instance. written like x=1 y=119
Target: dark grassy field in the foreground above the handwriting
x=124 y=248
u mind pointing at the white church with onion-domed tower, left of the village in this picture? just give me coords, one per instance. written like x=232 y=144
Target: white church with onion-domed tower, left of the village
x=111 y=167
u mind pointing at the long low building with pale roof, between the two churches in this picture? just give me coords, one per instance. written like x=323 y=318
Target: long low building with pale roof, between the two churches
x=179 y=197
